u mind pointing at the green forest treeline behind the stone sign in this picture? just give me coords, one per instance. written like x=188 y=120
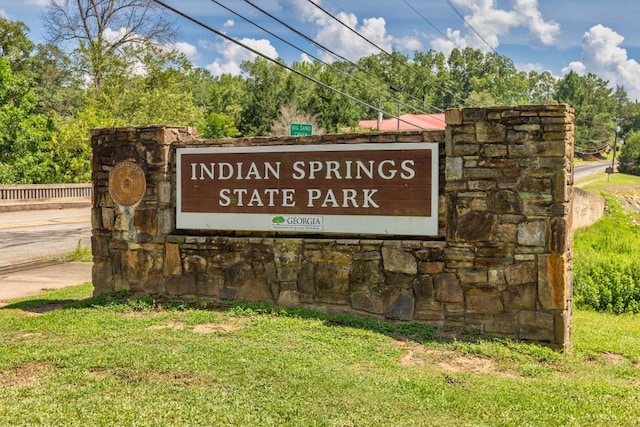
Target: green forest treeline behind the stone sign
x=52 y=94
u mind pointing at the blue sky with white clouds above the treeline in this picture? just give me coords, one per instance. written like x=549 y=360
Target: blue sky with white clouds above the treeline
x=555 y=35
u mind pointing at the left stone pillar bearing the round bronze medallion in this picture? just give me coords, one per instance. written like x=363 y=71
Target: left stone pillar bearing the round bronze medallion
x=129 y=238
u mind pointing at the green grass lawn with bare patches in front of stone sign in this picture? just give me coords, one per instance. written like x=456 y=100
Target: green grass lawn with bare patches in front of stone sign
x=67 y=359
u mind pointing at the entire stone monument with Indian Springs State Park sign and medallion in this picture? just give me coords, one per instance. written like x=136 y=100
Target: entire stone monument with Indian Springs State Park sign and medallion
x=464 y=228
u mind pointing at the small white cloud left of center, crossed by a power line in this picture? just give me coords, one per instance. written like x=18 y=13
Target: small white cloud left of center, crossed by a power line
x=233 y=55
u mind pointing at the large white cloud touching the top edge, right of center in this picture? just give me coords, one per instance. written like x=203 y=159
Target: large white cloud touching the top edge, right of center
x=493 y=23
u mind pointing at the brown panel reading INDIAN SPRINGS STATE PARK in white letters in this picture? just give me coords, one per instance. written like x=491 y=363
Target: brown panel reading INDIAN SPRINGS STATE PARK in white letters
x=366 y=180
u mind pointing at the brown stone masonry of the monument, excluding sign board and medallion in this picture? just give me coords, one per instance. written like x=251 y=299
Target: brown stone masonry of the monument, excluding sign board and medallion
x=501 y=263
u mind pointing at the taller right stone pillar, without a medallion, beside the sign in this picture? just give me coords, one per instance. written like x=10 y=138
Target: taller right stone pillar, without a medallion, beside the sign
x=509 y=176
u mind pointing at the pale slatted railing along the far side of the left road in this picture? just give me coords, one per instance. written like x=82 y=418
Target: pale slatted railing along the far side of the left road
x=42 y=192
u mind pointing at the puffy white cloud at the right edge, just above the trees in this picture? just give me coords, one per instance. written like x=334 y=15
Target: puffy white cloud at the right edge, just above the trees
x=603 y=56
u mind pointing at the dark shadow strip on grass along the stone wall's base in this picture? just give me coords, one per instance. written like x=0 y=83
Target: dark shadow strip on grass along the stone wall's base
x=128 y=302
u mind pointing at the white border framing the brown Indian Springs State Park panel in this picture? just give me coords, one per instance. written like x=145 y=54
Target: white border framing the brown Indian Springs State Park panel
x=332 y=224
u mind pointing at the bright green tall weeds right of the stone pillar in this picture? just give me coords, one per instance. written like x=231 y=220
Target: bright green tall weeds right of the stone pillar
x=606 y=274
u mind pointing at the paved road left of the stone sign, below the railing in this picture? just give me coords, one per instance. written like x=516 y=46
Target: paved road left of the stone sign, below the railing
x=30 y=236
